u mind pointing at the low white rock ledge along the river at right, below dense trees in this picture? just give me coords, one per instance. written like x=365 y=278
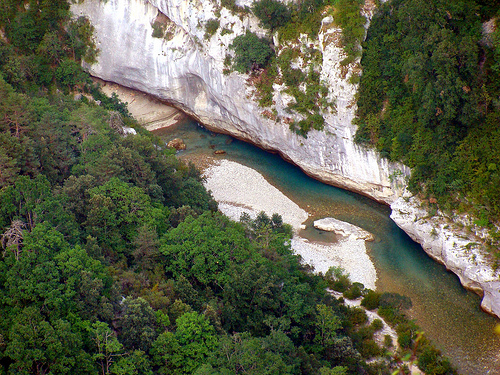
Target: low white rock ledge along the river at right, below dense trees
x=444 y=243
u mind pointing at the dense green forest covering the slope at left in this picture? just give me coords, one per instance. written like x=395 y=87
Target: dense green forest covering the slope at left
x=114 y=259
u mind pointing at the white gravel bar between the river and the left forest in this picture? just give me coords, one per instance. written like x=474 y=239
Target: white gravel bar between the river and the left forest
x=240 y=189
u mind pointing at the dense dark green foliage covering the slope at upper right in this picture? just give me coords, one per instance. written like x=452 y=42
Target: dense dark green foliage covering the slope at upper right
x=429 y=97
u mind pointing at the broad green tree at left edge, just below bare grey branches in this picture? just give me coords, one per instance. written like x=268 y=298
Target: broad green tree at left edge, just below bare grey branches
x=49 y=275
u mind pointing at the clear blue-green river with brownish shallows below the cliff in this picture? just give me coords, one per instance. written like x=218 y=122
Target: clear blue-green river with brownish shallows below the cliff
x=447 y=313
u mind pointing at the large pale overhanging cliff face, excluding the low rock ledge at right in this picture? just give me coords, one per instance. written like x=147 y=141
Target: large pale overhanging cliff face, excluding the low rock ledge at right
x=186 y=70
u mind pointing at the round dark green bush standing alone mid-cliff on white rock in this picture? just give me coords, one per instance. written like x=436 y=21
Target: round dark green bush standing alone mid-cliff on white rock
x=251 y=52
